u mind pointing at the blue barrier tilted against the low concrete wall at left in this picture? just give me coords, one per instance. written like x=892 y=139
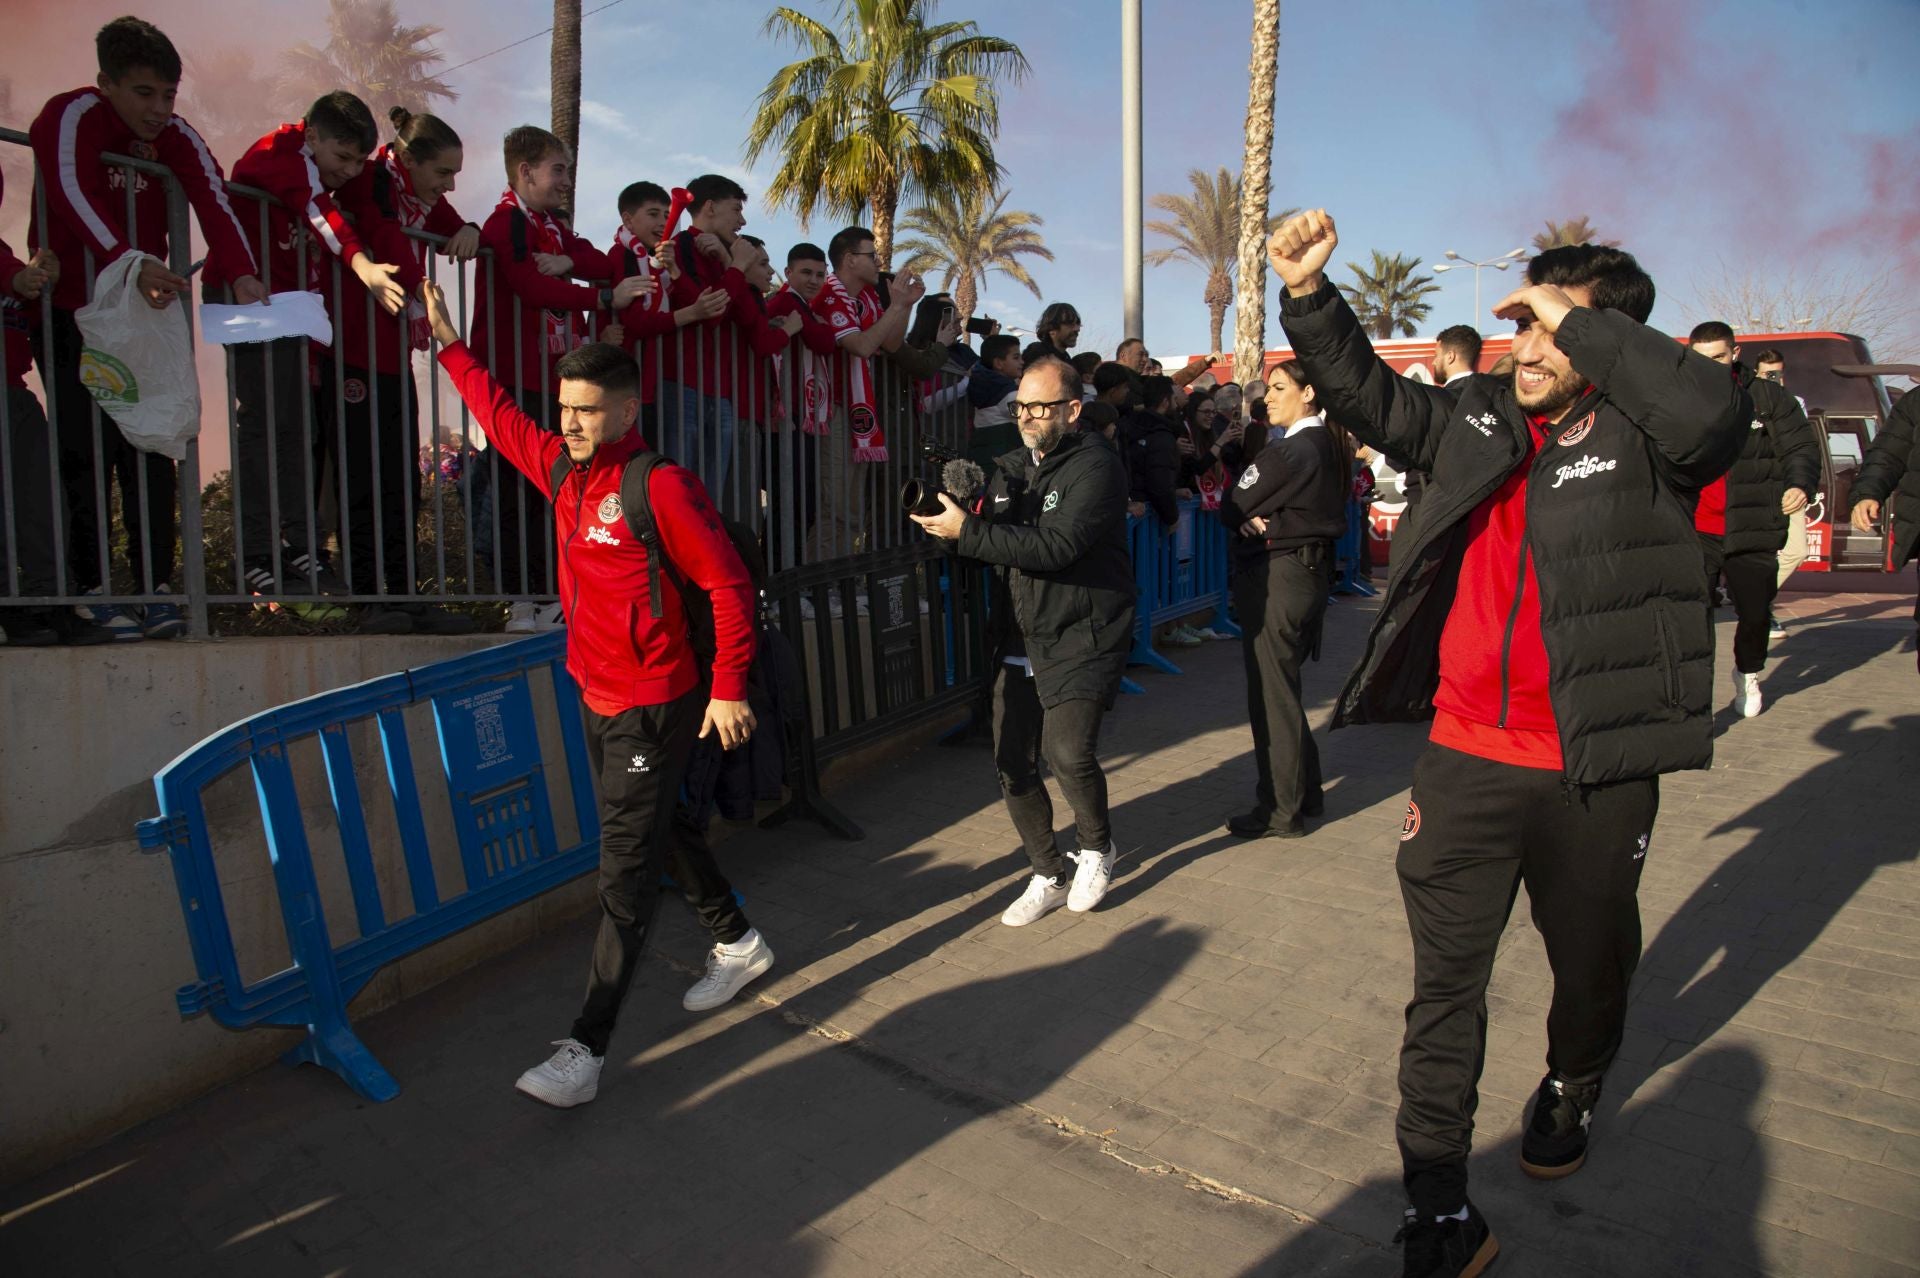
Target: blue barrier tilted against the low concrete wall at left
x=494 y=786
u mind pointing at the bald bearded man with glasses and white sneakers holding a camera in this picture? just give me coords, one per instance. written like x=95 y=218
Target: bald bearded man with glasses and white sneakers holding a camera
x=1055 y=517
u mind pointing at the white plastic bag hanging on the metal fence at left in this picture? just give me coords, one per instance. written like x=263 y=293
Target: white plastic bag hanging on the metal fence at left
x=139 y=364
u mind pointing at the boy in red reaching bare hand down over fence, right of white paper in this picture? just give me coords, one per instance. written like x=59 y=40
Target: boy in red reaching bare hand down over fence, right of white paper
x=300 y=166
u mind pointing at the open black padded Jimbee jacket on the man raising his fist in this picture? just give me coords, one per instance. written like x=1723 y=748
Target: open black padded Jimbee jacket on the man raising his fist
x=1610 y=529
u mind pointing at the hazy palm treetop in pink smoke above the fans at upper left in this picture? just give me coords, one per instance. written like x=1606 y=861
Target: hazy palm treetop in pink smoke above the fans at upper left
x=372 y=57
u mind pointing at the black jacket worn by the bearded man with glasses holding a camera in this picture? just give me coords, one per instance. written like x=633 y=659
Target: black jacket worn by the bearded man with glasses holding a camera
x=1059 y=527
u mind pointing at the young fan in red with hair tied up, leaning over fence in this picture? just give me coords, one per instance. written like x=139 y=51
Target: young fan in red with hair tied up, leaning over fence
x=373 y=421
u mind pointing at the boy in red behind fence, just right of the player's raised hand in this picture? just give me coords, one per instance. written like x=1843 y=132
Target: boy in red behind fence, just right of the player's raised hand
x=527 y=316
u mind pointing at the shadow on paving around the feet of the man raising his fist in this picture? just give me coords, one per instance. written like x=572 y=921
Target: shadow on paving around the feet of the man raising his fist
x=1631 y=1210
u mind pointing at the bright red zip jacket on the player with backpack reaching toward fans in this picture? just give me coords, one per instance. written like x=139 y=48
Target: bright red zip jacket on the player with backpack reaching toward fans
x=617 y=651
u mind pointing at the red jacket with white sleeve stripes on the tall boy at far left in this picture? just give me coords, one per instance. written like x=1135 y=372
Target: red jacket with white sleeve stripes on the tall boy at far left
x=87 y=197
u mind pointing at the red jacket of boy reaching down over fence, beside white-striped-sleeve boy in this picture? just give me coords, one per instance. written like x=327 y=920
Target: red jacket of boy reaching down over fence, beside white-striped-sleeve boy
x=281 y=166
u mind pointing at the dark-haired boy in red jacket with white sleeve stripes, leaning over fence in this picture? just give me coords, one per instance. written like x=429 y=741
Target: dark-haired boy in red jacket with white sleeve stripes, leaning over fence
x=91 y=224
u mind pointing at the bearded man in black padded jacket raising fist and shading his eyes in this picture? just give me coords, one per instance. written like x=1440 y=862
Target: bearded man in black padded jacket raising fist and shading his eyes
x=1550 y=615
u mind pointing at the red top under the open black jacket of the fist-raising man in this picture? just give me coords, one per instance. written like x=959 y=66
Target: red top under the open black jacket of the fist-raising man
x=1493 y=698
